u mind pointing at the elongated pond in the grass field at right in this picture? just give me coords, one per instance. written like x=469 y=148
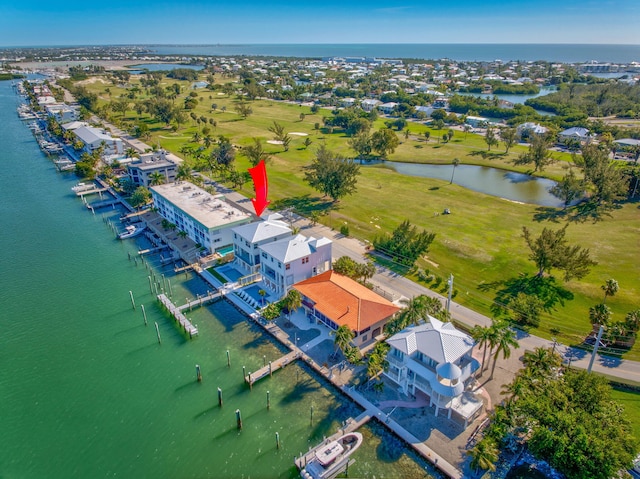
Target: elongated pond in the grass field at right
x=491 y=181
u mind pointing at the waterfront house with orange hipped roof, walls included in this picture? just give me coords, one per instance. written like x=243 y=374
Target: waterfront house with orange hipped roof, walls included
x=335 y=300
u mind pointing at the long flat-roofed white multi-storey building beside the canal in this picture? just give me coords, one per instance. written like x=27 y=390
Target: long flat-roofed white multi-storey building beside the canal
x=207 y=219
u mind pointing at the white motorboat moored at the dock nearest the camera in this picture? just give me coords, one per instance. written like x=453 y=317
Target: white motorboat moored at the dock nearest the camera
x=330 y=458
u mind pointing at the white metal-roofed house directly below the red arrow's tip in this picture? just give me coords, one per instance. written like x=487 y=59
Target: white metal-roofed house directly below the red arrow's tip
x=247 y=240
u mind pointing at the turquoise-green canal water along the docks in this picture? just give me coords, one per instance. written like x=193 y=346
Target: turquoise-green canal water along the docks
x=86 y=389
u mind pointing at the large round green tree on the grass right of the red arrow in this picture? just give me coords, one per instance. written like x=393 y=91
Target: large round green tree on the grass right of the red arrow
x=332 y=174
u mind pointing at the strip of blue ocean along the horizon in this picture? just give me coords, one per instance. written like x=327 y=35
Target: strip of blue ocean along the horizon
x=565 y=53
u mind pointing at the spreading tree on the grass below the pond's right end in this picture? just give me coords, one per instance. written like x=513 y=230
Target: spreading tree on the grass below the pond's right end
x=550 y=250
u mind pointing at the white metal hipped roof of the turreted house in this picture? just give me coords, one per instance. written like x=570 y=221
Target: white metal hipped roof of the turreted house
x=439 y=341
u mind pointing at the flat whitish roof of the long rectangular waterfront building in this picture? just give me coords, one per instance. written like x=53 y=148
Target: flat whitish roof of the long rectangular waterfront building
x=211 y=211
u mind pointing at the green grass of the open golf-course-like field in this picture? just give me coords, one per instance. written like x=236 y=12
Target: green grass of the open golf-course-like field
x=479 y=243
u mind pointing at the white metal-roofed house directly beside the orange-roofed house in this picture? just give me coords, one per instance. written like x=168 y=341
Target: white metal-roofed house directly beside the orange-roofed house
x=286 y=262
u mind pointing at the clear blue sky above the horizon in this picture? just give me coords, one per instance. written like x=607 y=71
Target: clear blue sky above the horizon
x=76 y=22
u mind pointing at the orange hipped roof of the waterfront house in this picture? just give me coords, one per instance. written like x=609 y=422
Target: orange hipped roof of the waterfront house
x=345 y=301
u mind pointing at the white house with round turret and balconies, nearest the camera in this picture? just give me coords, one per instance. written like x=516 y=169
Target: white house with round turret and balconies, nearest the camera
x=435 y=358
